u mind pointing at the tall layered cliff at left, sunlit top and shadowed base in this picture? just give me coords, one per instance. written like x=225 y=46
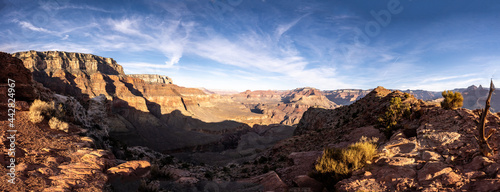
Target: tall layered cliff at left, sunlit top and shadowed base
x=143 y=109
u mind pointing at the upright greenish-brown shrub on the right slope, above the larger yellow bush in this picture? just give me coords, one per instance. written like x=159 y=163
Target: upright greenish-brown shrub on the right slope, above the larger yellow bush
x=395 y=112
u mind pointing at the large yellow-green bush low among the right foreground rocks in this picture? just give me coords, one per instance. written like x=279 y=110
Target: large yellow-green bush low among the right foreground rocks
x=336 y=164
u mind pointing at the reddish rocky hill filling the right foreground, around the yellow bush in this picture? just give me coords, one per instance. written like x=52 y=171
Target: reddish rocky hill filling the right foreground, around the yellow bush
x=435 y=149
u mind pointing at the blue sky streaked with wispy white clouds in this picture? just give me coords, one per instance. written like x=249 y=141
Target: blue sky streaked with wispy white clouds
x=266 y=44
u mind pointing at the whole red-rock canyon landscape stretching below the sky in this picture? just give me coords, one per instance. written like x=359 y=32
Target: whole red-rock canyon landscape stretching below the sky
x=252 y=140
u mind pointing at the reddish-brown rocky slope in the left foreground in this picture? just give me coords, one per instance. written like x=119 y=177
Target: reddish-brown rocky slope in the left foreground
x=47 y=159
